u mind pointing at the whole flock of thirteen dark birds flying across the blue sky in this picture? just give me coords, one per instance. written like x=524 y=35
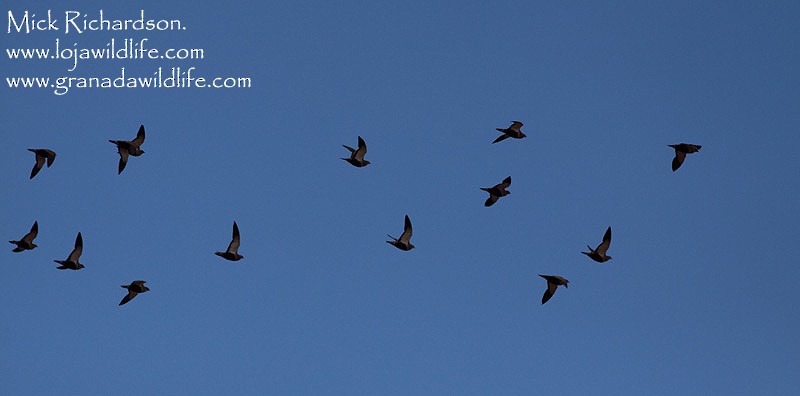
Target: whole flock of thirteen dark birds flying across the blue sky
x=127 y=148
